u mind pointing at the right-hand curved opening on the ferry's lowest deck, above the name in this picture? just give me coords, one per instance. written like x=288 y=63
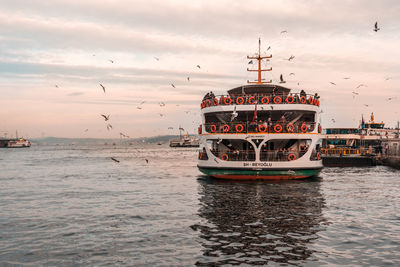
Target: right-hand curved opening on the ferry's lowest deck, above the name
x=282 y=149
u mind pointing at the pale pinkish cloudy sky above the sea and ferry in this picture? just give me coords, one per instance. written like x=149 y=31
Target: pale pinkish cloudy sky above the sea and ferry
x=55 y=54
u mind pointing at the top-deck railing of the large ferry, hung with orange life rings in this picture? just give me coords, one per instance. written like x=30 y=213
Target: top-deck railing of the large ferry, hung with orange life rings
x=260 y=99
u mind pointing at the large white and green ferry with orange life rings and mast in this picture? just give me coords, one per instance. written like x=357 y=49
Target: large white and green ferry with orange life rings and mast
x=260 y=131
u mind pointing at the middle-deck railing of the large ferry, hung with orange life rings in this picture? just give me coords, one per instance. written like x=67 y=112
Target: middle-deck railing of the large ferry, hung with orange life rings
x=260 y=127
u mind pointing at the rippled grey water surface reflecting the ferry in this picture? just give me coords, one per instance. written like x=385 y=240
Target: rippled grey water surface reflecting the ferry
x=73 y=205
